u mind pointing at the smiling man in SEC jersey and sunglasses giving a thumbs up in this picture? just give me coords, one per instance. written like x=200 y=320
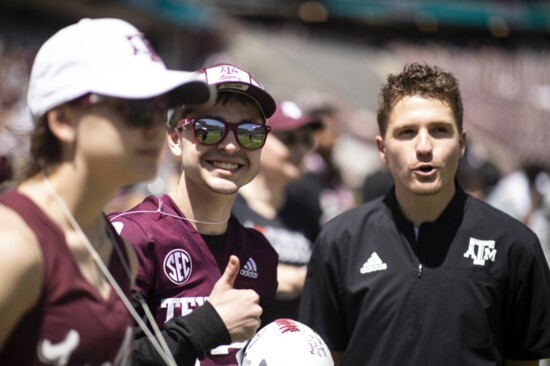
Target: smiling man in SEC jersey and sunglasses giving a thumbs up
x=185 y=238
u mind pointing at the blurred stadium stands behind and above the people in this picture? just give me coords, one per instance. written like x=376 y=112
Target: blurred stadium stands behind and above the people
x=341 y=48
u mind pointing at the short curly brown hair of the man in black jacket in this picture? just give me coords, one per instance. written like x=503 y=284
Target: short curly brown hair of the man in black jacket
x=419 y=79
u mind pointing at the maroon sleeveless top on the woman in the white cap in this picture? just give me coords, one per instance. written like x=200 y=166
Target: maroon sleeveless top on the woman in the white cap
x=71 y=324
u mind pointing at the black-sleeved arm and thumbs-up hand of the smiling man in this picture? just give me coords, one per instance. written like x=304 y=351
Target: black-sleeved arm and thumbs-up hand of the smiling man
x=229 y=315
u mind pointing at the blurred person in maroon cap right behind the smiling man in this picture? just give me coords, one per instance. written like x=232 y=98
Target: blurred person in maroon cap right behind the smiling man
x=261 y=203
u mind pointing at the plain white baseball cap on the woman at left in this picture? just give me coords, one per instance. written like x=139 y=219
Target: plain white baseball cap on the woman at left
x=110 y=57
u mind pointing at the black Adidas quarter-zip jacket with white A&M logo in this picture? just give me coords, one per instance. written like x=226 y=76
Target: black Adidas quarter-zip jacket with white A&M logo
x=473 y=289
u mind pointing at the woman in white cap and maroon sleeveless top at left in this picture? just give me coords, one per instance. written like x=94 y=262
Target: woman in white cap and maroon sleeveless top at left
x=97 y=94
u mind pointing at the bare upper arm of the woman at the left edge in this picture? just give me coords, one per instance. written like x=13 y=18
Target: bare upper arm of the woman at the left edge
x=21 y=268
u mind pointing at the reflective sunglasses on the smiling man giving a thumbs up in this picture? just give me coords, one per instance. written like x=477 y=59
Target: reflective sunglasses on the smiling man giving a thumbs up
x=211 y=131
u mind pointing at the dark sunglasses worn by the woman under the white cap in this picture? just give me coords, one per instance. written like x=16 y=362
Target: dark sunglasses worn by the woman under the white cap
x=136 y=112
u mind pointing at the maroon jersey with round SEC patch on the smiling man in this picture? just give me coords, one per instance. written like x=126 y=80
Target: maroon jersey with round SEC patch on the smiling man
x=178 y=270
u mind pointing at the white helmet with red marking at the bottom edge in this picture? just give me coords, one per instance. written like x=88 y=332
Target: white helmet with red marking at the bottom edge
x=285 y=342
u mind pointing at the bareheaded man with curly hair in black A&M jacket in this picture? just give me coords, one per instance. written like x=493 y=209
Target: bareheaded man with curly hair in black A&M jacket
x=427 y=275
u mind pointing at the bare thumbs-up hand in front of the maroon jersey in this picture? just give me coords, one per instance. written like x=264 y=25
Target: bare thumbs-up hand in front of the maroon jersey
x=239 y=309
